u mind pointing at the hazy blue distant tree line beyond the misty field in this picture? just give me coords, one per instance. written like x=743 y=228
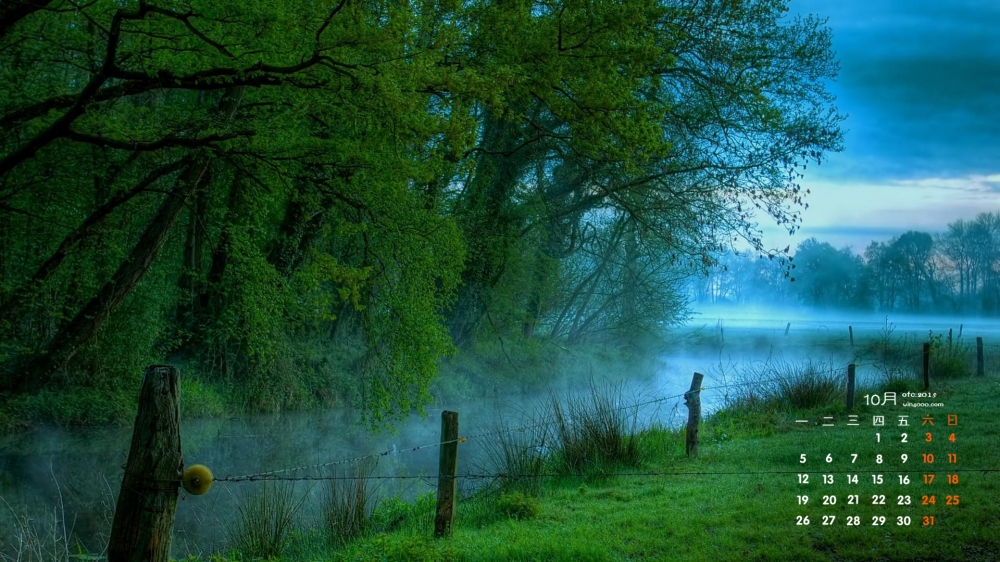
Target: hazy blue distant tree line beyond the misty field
x=956 y=271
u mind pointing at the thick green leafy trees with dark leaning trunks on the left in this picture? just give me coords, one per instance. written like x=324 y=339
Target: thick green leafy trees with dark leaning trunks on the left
x=116 y=128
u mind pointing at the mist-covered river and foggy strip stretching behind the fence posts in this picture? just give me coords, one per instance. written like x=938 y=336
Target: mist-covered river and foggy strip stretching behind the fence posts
x=719 y=342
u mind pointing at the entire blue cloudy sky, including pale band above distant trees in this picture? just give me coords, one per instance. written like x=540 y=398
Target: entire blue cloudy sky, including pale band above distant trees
x=920 y=85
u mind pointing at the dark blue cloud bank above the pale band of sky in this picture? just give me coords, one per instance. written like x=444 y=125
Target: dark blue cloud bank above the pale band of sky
x=920 y=82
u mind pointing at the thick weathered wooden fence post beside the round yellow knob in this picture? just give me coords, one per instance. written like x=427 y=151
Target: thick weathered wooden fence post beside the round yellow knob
x=144 y=516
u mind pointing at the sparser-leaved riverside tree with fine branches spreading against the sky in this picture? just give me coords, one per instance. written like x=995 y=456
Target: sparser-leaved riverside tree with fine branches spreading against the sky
x=736 y=96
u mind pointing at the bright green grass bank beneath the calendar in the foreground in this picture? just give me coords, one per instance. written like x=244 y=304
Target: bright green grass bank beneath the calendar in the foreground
x=738 y=500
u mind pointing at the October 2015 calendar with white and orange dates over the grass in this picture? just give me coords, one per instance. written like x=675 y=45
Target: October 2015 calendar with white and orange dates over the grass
x=905 y=470
